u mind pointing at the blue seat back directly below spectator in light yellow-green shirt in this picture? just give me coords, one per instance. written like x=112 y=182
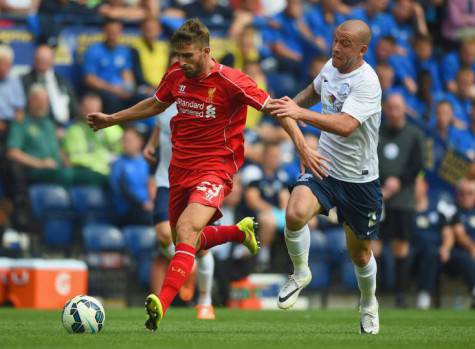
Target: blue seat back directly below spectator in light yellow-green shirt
x=90 y=204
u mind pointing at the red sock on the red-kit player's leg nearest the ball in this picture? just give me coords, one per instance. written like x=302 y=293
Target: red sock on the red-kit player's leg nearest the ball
x=177 y=273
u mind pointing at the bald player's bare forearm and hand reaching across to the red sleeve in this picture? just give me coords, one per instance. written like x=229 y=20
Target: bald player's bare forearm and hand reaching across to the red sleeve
x=342 y=124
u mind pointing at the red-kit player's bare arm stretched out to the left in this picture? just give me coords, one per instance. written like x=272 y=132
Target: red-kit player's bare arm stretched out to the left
x=144 y=109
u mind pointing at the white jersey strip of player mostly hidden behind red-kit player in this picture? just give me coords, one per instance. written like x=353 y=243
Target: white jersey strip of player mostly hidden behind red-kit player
x=163 y=120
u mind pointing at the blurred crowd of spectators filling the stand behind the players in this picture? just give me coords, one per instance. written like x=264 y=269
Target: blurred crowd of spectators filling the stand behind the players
x=423 y=52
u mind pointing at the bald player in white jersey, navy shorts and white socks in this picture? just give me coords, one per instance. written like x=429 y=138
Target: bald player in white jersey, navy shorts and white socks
x=350 y=93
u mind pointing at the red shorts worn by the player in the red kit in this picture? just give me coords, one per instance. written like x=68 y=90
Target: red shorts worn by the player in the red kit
x=204 y=187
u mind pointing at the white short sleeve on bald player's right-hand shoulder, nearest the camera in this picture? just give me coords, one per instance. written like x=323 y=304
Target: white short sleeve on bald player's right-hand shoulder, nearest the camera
x=364 y=100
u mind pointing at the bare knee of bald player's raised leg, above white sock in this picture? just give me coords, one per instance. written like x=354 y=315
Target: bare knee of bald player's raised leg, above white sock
x=302 y=206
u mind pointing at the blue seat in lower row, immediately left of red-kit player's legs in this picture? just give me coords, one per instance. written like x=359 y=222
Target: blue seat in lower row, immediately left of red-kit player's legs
x=140 y=240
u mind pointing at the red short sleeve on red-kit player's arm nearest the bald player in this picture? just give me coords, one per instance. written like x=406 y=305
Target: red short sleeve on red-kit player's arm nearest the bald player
x=248 y=92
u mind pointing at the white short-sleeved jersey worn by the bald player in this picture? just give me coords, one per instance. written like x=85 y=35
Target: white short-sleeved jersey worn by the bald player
x=358 y=93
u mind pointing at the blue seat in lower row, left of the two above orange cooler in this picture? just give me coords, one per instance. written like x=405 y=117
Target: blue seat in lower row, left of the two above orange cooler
x=102 y=237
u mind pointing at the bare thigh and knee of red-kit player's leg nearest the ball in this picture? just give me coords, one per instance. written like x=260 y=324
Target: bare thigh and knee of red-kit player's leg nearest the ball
x=192 y=221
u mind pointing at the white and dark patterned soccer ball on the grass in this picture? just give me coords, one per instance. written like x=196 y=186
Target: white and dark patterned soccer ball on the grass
x=83 y=314
